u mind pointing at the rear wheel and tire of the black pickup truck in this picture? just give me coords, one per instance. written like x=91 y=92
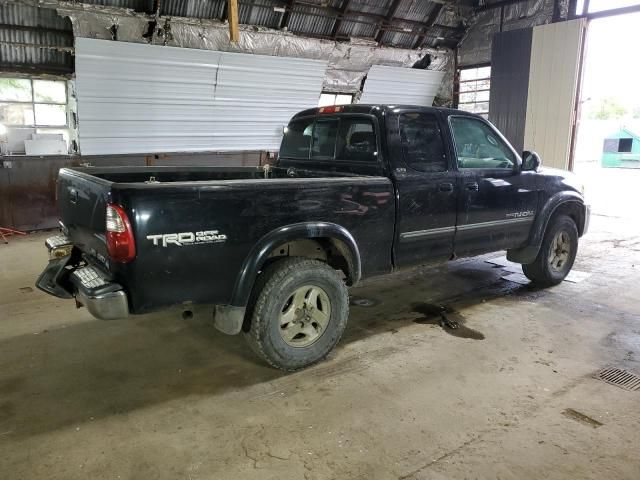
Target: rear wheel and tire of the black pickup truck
x=274 y=294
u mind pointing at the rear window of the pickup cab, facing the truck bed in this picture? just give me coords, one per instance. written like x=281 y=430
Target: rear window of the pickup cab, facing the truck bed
x=343 y=138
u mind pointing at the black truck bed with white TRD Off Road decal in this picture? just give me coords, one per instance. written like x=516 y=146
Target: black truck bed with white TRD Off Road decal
x=241 y=204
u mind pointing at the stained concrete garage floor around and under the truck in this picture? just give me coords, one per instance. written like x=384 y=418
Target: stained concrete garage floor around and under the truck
x=164 y=398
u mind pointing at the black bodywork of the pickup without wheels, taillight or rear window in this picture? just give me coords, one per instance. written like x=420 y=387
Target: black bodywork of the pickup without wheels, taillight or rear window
x=204 y=235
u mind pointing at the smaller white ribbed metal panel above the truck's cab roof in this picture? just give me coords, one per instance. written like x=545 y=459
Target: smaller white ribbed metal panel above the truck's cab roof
x=401 y=86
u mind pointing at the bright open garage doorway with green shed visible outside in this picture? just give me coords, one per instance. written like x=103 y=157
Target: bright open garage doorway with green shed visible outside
x=607 y=153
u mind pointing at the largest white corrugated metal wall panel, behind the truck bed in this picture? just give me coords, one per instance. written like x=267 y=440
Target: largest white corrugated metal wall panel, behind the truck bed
x=135 y=98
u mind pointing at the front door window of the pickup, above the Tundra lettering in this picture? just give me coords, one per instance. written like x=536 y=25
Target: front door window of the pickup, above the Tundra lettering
x=478 y=146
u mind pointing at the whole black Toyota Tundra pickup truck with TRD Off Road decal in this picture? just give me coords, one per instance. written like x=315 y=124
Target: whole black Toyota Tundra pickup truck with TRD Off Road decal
x=357 y=191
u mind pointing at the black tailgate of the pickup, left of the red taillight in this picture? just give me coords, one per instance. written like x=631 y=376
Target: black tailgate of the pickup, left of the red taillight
x=82 y=202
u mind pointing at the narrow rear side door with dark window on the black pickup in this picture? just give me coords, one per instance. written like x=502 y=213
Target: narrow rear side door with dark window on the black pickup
x=427 y=190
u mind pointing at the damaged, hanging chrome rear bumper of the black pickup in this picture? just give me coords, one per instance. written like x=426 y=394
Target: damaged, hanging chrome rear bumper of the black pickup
x=105 y=300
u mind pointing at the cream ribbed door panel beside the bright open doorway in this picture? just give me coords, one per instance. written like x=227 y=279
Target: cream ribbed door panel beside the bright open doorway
x=553 y=78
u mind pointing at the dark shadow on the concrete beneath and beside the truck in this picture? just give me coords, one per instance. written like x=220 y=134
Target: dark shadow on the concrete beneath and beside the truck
x=94 y=369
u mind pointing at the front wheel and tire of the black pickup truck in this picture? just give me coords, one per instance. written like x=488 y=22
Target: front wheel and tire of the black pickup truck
x=544 y=271
